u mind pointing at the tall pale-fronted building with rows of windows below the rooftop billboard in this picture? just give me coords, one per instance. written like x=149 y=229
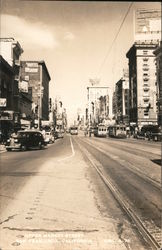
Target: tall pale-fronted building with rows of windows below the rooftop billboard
x=142 y=84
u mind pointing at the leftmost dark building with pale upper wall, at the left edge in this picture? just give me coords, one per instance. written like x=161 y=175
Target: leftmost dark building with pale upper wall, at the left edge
x=10 y=69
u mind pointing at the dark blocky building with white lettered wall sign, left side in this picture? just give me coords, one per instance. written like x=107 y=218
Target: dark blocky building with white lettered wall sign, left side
x=36 y=75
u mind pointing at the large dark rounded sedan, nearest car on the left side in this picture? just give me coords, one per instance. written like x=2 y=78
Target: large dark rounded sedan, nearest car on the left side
x=26 y=139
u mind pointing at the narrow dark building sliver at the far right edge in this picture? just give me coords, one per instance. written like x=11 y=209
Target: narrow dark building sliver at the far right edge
x=158 y=54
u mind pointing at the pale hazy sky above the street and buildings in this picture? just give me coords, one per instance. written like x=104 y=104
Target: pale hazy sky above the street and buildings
x=74 y=38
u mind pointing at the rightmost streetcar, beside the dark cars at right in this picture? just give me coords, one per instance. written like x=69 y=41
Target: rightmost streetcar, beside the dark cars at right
x=117 y=131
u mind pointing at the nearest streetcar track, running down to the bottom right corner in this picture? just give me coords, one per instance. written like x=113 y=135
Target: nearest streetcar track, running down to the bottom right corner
x=150 y=233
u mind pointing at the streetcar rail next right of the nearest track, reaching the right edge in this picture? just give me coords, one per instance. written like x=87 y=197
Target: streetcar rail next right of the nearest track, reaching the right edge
x=129 y=166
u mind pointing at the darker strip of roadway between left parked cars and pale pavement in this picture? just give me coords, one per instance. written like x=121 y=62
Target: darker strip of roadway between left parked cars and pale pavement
x=17 y=167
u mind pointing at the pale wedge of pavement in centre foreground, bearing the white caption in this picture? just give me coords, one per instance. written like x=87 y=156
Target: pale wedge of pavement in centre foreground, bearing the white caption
x=56 y=209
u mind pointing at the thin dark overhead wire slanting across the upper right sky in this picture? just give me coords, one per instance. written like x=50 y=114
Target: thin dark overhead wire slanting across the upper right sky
x=109 y=50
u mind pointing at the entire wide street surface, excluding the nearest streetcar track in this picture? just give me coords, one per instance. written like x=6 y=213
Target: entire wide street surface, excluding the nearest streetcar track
x=75 y=198
